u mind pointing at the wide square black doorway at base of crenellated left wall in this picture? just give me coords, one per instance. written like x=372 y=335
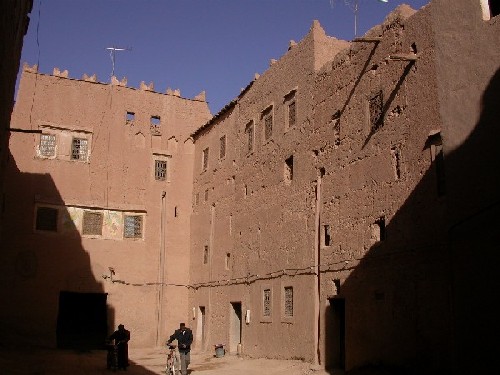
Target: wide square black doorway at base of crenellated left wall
x=82 y=321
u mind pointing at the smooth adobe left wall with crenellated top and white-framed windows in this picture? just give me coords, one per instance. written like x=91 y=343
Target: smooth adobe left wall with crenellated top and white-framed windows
x=116 y=179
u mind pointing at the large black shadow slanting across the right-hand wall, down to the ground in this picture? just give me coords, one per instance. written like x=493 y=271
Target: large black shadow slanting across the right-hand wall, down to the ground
x=422 y=298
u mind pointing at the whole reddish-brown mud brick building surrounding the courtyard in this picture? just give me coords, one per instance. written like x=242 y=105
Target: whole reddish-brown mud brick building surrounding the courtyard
x=342 y=209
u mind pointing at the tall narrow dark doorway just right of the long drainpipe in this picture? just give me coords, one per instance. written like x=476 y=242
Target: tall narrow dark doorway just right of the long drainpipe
x=335 y=335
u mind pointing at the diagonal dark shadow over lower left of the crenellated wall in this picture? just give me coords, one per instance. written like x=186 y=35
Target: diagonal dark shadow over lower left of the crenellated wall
x=45 y=273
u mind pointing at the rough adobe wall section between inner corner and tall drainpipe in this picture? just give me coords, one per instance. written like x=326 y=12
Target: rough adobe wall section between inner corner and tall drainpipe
x=257 y=224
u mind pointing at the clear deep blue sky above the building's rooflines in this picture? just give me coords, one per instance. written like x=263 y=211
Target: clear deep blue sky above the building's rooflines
x=214 y=46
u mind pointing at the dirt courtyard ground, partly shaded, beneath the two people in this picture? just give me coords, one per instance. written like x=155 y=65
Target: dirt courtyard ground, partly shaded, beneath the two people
x=142 y=362
